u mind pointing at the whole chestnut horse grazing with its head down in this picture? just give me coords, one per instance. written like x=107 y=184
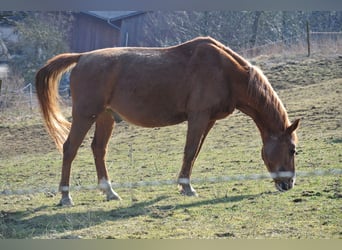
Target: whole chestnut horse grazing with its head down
x=199 y=81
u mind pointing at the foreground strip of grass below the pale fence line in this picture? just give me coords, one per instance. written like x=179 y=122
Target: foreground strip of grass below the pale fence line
x=237 y=210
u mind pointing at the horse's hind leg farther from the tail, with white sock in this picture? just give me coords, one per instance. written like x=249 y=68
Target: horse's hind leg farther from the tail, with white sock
x=103 y=131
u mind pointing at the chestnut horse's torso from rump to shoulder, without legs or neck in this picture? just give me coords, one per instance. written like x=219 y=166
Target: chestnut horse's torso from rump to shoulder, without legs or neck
x=151 y=86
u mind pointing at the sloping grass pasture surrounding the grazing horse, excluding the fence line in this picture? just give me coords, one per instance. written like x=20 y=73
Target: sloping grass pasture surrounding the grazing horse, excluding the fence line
x=310 y=89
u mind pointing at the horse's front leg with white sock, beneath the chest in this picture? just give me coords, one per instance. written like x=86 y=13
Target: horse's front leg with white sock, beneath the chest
x=198 y=129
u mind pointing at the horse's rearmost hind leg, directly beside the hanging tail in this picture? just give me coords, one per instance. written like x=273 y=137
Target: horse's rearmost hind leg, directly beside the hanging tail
x=79 y=128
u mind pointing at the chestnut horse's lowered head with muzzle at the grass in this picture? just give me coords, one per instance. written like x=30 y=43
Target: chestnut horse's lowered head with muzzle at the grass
x=278 y=153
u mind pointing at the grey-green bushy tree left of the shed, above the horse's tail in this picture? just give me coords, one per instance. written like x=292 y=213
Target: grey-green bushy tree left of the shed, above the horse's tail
x=40 y=36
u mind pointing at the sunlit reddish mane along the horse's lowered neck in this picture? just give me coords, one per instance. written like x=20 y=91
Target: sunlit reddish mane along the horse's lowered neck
x=259 y=88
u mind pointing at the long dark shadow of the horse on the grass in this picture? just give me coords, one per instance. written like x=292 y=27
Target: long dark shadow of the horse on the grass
x=22 y=225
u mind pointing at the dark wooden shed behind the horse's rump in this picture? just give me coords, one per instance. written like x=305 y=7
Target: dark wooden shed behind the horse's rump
x=102 y=29
